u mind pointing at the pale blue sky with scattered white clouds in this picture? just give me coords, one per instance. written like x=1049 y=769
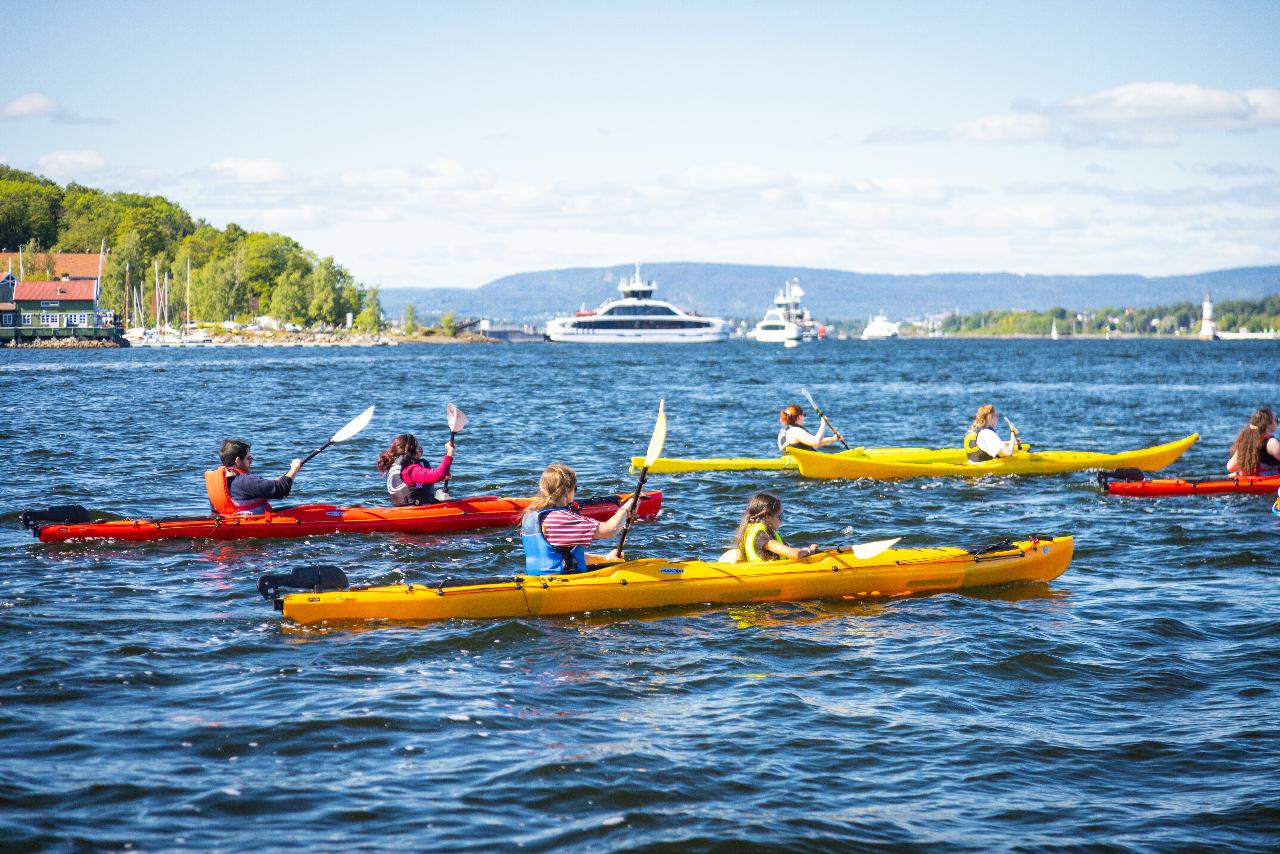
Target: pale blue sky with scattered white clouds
x=450 y=144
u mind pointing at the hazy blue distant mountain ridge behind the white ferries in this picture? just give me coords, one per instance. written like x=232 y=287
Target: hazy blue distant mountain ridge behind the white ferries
x=744 y=293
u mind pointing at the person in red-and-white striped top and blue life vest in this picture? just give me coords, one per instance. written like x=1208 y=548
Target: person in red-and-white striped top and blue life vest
x=555 y=536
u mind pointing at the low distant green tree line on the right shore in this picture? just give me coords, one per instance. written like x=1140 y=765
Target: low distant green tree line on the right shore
x=1165 y=321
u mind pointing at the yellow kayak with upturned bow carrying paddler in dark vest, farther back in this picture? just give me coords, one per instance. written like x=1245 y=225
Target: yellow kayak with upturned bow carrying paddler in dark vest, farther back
x=1044 y=463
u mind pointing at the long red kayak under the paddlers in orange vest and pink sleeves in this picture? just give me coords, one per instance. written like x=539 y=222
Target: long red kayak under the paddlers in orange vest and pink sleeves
x=313 y=520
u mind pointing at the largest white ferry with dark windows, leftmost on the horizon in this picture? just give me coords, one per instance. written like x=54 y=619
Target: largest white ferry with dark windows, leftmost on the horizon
x=637 y=318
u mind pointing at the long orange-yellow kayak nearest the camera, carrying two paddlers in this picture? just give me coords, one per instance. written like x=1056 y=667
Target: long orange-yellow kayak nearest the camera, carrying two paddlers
x=656 y=583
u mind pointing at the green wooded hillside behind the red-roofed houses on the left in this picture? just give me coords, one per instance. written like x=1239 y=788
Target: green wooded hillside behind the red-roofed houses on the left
x=235 y=275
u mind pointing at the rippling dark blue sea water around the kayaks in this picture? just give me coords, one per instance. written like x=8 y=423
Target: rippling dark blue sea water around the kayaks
x=149 y=700
